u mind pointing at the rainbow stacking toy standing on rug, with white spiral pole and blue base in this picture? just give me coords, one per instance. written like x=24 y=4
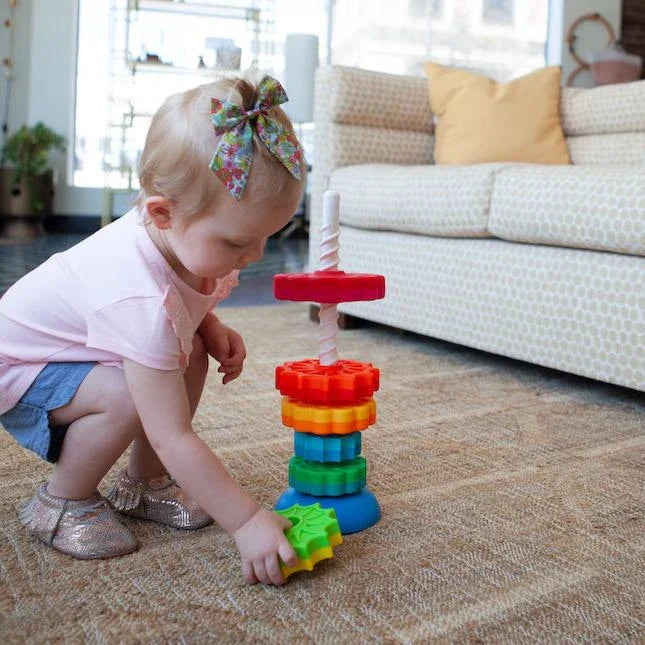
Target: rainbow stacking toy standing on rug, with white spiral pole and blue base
x=328 y=402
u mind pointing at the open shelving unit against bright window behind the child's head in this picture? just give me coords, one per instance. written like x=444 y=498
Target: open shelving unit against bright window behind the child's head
x=153 y=29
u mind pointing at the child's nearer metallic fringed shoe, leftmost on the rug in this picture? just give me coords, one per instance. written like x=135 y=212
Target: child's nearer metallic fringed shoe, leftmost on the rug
x=83 y=528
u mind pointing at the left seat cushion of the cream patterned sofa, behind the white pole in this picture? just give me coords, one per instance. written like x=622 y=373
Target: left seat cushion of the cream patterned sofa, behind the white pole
x=448 y=201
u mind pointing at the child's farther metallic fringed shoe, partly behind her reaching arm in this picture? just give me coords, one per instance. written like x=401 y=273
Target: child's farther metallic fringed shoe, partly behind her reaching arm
x=159 y=499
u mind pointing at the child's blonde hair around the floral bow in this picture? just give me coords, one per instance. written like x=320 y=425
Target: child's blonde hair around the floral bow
x=181 y=142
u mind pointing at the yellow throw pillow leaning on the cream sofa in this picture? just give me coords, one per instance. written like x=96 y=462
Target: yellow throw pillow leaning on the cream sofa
x=480 y=120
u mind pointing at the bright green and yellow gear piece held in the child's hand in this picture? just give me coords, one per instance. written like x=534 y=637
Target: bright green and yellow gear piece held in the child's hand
x=313 y=535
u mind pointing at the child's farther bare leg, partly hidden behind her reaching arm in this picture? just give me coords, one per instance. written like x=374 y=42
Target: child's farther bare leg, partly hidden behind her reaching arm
x=143 y=459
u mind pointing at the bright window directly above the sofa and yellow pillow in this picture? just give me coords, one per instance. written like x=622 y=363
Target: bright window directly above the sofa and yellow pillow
x=472 y=34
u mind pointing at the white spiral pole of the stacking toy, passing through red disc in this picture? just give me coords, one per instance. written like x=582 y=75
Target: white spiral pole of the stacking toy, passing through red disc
x=328 y=353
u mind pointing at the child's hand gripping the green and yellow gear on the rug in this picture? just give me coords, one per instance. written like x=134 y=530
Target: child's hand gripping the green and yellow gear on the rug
x=260 y=541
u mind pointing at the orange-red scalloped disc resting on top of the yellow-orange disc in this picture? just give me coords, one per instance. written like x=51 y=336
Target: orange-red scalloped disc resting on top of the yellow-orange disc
x=344 y=382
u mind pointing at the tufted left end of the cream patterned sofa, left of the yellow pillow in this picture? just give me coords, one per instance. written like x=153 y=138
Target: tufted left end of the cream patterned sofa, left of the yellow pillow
x=364 y=117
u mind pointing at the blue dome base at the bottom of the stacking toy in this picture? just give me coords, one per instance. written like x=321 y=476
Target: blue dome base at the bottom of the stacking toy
x=355 y=512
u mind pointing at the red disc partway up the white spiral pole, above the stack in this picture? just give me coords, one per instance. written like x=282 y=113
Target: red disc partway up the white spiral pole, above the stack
x=328 y=286
